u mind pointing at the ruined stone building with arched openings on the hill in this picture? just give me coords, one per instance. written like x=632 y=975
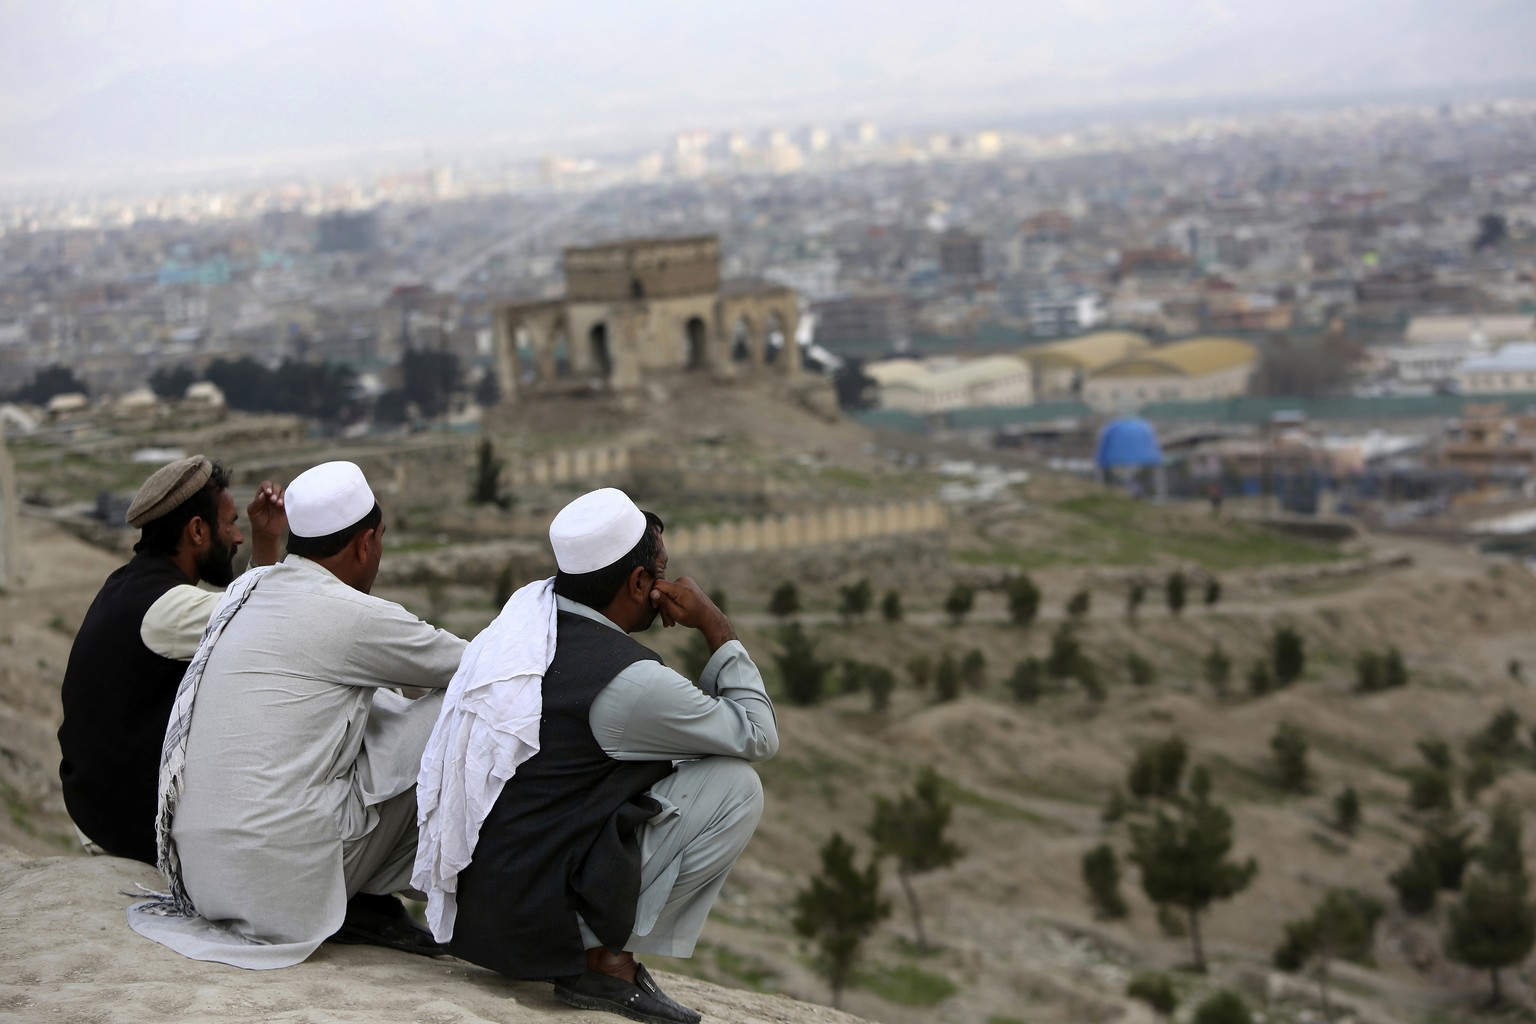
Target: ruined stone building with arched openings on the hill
x=643 y=308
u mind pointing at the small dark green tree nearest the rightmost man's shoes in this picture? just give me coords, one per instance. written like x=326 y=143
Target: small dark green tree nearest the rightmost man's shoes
x=839 y=911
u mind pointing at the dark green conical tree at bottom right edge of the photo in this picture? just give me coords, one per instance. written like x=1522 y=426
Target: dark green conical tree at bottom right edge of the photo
x=1494 y=925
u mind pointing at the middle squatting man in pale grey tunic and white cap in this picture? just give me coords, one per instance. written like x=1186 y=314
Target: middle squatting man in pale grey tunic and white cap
x=288 y=776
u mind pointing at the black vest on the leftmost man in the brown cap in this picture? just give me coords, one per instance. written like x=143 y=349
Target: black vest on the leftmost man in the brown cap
x=118 y=699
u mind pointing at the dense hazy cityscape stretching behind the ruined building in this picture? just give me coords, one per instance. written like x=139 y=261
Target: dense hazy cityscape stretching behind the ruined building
x=1342 y=228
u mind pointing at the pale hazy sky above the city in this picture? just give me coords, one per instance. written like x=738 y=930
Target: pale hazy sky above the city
x=102 y=84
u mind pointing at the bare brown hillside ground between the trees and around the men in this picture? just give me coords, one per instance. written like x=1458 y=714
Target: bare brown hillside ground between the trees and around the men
x=1015 y=931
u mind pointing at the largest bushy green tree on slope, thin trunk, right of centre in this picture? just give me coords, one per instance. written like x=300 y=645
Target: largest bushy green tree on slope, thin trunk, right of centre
x=1183 y=857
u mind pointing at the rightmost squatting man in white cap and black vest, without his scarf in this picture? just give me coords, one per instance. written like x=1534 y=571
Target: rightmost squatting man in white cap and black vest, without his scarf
x=617 y=836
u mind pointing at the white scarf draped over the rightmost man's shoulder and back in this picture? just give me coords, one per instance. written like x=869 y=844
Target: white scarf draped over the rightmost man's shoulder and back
x=488 y=728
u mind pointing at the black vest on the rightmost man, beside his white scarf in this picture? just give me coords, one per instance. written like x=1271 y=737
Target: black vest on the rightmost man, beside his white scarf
x=561 y=837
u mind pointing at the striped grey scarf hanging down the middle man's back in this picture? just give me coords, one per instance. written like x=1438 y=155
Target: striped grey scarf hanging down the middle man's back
x=174 y=753
